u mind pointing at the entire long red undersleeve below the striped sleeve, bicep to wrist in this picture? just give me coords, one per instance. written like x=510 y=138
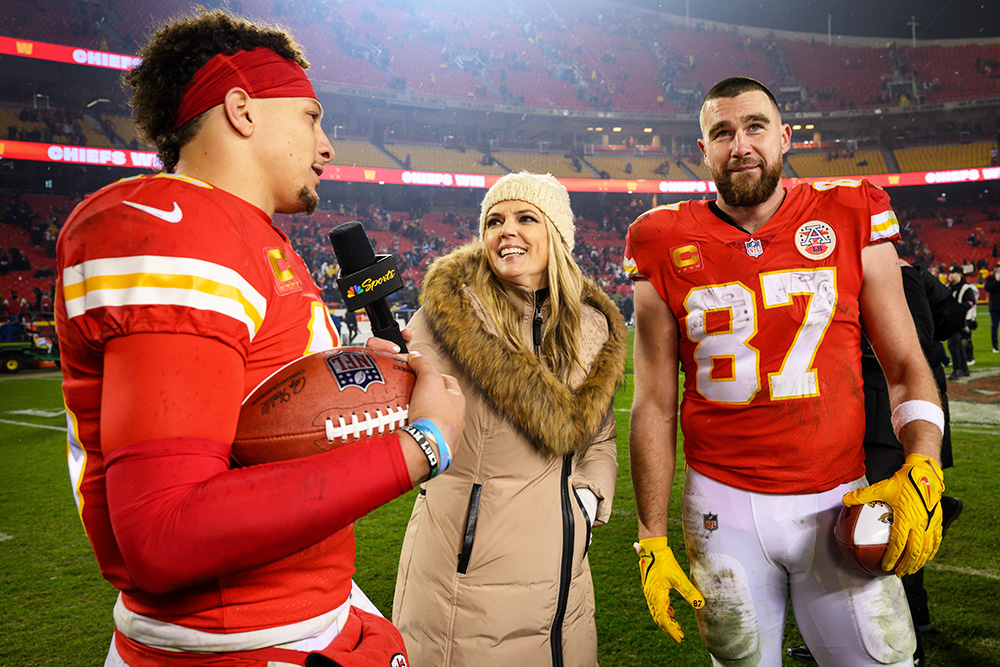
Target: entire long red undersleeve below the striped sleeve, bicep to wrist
x=180 y=516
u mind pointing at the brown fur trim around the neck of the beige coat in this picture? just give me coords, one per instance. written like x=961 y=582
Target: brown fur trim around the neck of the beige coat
x=556 y=419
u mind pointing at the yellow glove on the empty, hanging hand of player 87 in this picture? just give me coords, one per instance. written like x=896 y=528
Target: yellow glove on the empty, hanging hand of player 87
x=660 y=573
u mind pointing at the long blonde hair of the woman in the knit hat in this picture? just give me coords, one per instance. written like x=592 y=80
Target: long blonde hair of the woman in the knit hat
x=560 y=345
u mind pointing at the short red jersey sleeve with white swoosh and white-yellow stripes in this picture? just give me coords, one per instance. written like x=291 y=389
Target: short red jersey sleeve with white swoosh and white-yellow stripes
x=194 y=274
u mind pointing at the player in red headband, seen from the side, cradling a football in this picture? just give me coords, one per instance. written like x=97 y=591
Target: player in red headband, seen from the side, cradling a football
x=176 y=297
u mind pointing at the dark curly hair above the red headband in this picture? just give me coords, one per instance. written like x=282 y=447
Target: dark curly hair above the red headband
x=170 y=60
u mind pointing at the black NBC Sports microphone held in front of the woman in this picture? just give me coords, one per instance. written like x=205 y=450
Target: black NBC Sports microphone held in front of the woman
x=365 y=280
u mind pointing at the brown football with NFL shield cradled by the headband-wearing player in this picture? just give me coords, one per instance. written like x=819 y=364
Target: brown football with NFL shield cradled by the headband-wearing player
x=321 y=401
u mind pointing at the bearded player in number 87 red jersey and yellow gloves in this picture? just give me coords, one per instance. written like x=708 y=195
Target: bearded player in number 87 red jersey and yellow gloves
x=760 y=297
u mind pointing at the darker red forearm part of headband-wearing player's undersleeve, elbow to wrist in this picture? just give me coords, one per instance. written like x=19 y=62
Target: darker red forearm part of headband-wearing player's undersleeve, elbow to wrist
x=182 y=517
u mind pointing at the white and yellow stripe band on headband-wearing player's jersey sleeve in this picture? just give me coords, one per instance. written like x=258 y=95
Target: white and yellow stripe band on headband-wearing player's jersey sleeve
x=147 y=280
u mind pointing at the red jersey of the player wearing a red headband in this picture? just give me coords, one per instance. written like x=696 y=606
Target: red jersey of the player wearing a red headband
x=169 y=254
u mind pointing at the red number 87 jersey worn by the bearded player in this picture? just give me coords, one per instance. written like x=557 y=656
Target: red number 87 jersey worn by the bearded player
x=770 y=335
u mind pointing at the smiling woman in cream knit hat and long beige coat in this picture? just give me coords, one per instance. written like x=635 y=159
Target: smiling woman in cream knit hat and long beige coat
x=495 y=553
